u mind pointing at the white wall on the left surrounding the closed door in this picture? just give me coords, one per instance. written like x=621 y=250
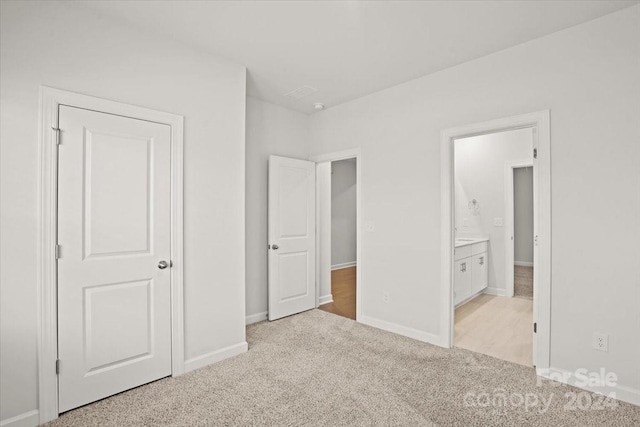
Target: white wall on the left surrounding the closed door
x=62 y=45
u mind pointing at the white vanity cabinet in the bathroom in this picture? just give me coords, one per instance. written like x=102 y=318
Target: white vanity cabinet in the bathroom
x=470 y=269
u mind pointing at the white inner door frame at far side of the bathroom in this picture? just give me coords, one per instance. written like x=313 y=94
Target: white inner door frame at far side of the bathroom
x=509 y=205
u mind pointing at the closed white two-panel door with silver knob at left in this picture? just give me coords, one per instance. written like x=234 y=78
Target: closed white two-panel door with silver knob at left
x=114 y=232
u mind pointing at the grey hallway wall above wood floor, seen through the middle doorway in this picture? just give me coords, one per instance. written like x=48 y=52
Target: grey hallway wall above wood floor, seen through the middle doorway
x=343 y=212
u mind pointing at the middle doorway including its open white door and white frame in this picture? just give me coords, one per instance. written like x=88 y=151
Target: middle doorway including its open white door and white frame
x=299 y=223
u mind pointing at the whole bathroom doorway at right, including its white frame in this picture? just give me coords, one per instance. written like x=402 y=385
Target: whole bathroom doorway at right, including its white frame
x=478 y=238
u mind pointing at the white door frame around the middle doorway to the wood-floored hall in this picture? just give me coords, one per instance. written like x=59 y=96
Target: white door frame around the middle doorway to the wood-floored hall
x=332 y=157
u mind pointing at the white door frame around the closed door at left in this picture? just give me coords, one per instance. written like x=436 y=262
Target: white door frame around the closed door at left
x=47 y=321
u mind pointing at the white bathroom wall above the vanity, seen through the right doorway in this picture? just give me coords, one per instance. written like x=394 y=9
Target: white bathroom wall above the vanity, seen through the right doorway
x=479 y=164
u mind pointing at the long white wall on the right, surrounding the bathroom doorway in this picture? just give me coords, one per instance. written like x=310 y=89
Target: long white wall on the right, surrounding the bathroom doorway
x=589 y=77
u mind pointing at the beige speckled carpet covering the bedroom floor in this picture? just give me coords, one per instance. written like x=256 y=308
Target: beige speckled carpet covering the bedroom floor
x=317 y=368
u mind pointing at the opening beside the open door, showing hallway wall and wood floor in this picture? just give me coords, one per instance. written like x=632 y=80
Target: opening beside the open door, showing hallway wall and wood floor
x=340 y=297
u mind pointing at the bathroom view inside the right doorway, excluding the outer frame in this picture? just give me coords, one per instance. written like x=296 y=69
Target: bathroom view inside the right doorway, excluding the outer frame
x=487 y=318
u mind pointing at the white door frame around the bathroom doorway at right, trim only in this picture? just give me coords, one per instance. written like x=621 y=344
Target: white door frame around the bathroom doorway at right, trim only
x=539 y=121
